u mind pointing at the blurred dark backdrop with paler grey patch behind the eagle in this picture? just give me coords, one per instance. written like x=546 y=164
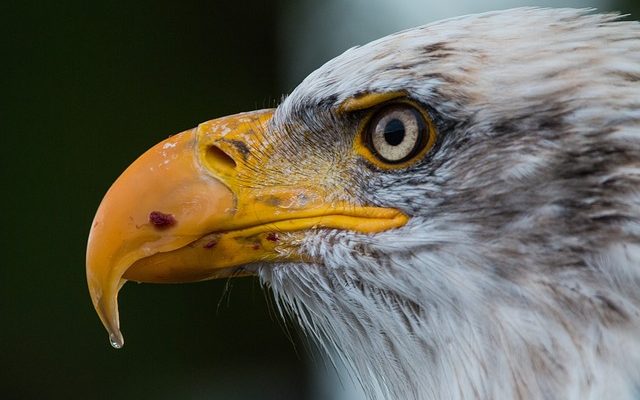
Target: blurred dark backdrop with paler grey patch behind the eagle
x=86 y=88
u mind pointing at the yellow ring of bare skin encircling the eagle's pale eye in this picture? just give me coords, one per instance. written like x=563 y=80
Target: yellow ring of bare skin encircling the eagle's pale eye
x=362 y=149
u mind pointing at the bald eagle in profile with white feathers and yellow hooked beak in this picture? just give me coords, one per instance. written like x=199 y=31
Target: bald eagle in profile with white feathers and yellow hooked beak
x=452 y=211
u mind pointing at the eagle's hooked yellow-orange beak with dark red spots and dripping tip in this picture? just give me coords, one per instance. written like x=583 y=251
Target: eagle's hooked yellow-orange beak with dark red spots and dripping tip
x=195 y=207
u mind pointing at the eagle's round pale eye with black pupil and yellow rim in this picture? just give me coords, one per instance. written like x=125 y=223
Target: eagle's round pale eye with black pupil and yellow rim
x=397 y=134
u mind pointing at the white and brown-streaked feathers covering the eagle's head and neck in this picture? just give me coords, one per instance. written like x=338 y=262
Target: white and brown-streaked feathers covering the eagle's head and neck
x=518 y=274
